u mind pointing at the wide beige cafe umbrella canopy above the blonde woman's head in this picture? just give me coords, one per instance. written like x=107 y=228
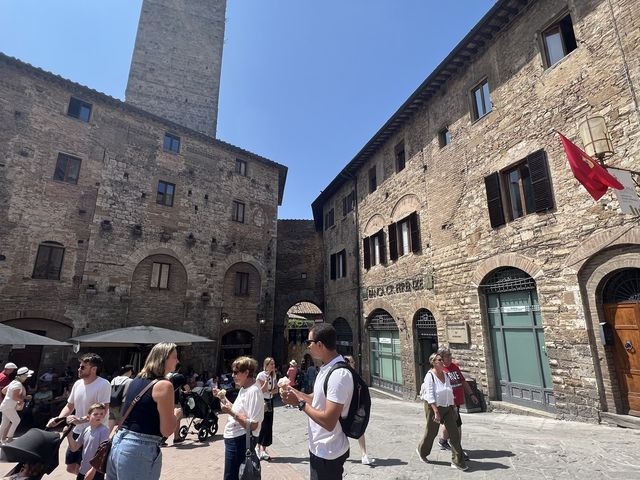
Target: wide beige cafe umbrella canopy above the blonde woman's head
x=137 y=335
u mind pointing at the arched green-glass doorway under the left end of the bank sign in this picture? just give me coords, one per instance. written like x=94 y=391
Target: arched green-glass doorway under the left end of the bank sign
x=384 y=344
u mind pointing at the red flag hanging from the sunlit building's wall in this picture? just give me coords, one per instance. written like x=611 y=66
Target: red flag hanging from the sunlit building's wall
x=588 y=172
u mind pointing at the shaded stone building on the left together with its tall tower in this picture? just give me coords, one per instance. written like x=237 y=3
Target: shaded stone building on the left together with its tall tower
x=118 y=214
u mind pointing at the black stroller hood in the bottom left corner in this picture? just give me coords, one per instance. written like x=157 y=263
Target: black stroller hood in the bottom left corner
x=36 y=453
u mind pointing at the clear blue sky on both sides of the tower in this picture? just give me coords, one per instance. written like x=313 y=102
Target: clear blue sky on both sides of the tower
x=304 y=83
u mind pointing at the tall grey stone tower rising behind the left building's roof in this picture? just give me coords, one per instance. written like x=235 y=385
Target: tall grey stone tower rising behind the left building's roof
x=177 y=60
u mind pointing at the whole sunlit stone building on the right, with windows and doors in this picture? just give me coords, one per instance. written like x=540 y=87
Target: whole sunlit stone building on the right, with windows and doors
x=460 y=223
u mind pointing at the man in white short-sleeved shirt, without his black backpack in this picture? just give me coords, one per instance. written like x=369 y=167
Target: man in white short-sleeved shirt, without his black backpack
x=328 y=445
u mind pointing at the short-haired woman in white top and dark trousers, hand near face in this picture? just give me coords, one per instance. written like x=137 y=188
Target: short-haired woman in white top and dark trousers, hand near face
x=247 y=410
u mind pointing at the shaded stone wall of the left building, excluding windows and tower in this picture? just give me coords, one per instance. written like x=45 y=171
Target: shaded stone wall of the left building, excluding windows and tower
x=111 y=226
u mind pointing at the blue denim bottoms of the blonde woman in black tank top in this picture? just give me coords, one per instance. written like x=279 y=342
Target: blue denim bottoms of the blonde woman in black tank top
x=134 y=456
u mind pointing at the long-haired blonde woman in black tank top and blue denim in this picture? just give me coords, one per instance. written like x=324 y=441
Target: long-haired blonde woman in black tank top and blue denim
x=135 y=452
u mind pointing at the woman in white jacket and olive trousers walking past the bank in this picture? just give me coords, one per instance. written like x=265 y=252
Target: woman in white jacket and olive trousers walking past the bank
x=439 y=409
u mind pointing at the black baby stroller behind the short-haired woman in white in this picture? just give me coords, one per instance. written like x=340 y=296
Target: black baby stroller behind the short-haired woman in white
x=201 y=405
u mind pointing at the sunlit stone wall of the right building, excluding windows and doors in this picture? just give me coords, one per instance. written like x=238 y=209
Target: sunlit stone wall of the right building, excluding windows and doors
x=445 y=186
